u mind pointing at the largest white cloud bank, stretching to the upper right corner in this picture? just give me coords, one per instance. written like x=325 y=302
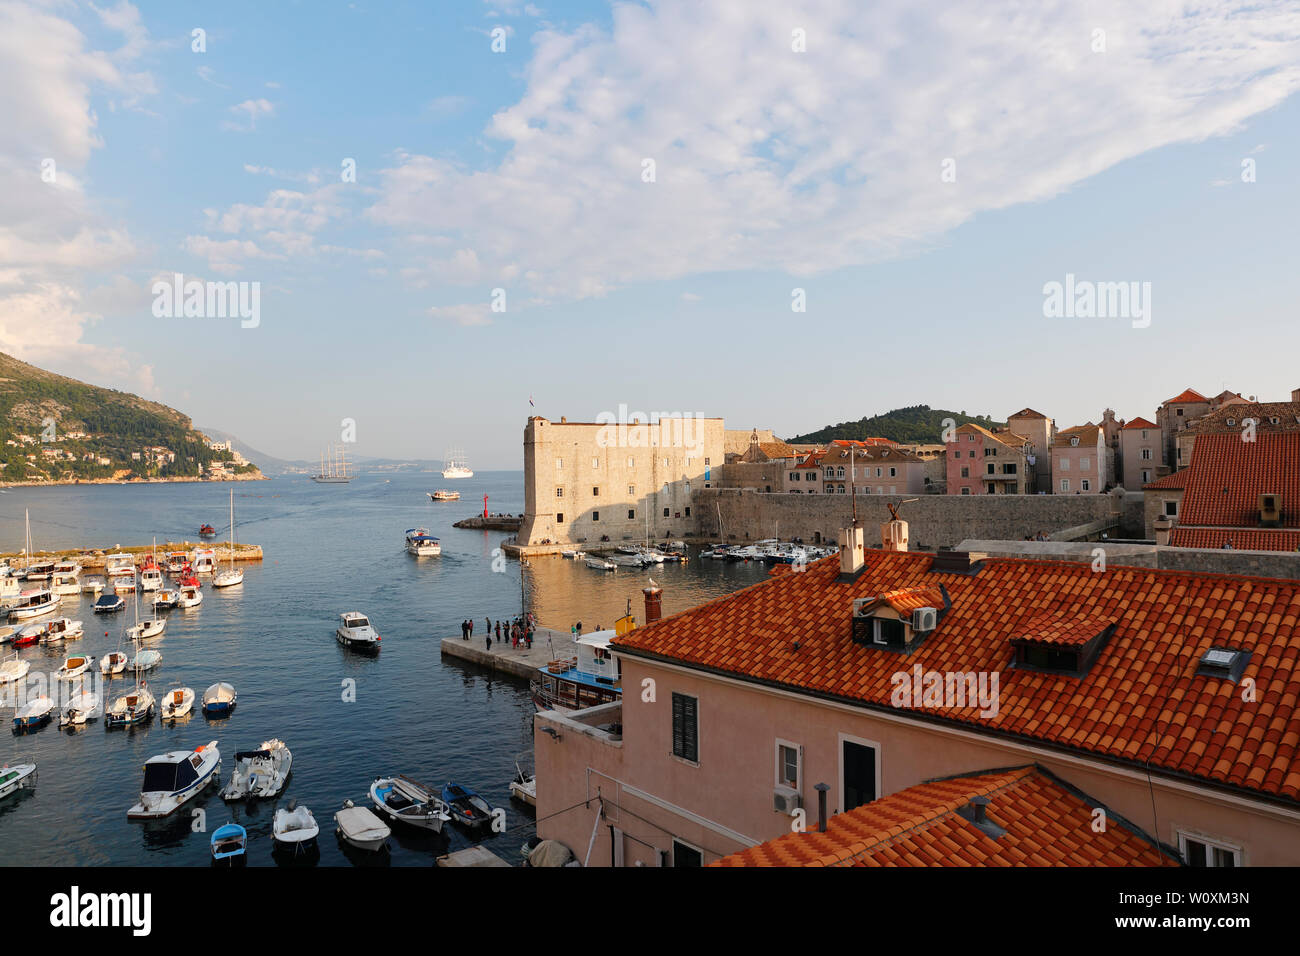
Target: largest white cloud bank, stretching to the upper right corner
x=803 y=163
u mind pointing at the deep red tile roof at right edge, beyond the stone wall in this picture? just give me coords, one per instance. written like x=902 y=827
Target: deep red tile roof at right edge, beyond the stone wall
x=1228 y=477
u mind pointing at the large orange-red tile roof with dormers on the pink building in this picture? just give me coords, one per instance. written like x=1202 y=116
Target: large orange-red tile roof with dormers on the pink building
x=1141 y=702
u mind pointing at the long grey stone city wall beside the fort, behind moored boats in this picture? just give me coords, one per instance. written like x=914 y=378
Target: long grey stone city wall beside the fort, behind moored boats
x=935 y=521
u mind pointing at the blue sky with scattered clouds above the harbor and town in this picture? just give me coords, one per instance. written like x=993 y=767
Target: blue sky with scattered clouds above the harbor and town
x=571 y=209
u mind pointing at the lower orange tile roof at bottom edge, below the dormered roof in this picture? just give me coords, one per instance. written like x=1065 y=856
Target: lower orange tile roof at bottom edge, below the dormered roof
x=1046 y=823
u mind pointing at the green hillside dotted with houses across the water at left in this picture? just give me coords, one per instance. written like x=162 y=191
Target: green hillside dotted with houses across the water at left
x=55 y=429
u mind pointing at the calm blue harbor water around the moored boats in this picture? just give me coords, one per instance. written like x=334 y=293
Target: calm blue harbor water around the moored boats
x=328 y=550
